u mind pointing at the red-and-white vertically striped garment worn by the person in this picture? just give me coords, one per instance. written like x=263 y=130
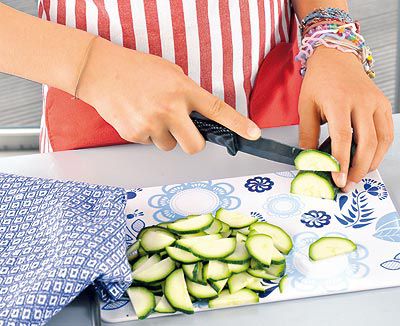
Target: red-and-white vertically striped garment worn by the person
x=218 y=43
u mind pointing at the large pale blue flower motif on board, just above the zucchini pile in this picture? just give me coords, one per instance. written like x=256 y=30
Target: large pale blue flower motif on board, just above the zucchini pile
x=171 y=204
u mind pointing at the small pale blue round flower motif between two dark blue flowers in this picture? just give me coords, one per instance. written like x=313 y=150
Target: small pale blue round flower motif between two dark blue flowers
x=283 y=205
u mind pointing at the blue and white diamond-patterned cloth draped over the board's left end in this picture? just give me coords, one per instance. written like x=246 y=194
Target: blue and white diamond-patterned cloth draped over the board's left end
x=56 y=238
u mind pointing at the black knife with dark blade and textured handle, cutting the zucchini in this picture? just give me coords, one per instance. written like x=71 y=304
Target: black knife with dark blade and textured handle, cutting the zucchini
x=263 y=147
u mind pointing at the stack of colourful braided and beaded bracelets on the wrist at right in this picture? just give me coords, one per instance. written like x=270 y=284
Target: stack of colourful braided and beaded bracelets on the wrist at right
x=333 y=28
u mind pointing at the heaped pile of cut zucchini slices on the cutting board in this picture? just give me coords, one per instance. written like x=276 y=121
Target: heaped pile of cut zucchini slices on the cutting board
x=222 y=259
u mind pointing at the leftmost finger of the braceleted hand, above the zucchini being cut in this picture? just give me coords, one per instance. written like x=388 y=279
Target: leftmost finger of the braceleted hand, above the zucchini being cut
x=309 y=126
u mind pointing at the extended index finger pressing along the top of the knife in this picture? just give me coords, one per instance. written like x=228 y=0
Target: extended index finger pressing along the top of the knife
x=215 y=109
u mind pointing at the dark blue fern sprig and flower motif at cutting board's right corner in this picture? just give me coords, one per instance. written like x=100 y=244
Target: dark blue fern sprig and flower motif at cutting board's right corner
x=359 y=211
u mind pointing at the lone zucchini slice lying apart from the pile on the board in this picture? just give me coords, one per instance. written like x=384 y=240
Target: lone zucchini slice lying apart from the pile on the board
x=327 y=247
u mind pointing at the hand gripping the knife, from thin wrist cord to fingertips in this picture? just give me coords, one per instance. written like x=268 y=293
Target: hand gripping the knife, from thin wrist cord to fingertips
x=149 y=99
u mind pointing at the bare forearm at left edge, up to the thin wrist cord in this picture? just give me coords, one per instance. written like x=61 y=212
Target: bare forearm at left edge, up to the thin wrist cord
x=41 y=51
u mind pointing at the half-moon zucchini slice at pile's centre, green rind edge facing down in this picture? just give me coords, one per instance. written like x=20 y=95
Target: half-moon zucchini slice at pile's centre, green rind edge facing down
x=213 y=249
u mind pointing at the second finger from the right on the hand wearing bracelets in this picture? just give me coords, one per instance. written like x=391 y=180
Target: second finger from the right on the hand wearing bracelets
x=364 y=130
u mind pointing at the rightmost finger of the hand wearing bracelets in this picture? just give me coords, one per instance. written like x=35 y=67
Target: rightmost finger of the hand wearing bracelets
x=384 y=133
